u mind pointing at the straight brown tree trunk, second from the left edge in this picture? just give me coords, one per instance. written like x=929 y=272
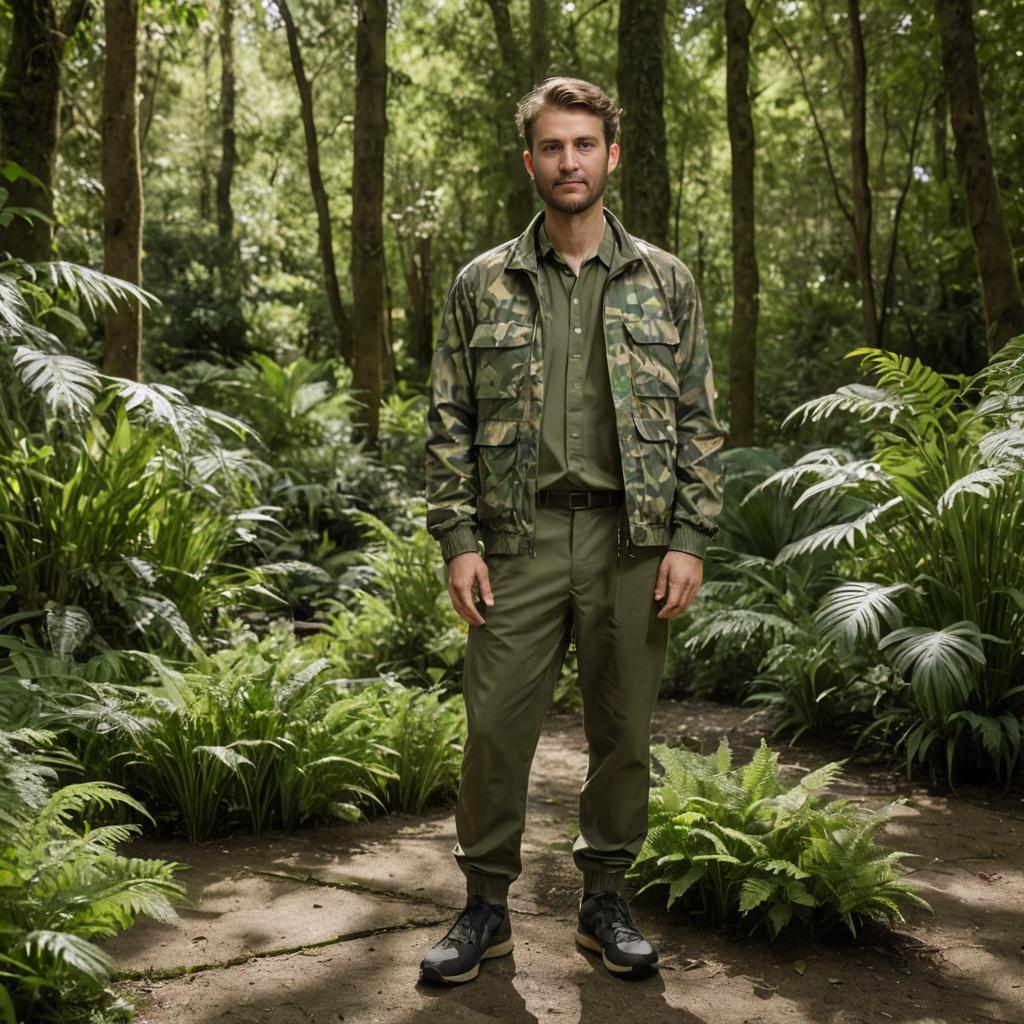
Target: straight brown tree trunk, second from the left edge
x=122 y=177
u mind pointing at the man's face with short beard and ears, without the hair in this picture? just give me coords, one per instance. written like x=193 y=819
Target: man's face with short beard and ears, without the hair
x=570 y=160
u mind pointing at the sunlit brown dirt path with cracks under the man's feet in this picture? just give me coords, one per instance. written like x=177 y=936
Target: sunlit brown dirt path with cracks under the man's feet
x=329 y=925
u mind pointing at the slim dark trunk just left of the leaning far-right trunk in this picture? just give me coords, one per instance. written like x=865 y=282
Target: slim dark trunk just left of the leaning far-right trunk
x=862 y=190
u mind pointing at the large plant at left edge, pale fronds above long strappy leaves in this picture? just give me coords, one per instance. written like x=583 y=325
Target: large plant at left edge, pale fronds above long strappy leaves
x=115 y=496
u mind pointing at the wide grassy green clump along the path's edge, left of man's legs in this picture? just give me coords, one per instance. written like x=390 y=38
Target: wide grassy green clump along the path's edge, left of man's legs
x=266 y=737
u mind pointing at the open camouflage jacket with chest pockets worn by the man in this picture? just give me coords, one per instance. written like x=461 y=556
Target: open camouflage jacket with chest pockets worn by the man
x=488 y=386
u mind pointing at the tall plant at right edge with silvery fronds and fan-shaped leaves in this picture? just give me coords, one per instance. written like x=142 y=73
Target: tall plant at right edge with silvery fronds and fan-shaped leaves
x=934 y=582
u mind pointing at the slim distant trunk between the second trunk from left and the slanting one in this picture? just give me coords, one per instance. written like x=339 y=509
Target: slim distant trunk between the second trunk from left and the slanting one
x=234 y=333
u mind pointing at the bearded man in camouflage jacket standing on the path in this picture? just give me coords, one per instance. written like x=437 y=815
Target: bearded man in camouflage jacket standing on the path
x=572 y=432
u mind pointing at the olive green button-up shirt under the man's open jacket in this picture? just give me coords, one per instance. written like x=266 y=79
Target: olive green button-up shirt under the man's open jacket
x=579 y=443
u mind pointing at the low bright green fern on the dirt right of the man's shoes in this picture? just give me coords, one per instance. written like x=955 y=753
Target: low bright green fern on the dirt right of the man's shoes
x=738 y=846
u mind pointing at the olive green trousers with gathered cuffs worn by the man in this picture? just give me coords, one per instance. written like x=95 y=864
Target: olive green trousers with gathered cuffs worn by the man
x=577 y=584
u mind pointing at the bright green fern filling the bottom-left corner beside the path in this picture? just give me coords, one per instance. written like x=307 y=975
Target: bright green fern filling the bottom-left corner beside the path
x=63 y=886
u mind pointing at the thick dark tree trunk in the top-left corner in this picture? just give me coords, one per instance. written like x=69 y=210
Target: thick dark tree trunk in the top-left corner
x=30 y=116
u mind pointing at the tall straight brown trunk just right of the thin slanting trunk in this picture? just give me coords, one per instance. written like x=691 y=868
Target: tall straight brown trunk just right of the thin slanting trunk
x=368 y=209
